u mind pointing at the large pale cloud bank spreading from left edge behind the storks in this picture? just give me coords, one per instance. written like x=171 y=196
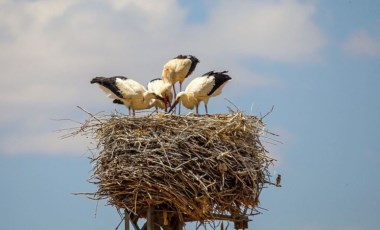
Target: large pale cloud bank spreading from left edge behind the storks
x=50 y=49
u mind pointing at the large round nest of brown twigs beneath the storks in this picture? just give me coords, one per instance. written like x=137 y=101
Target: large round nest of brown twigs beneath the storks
x=197 y=167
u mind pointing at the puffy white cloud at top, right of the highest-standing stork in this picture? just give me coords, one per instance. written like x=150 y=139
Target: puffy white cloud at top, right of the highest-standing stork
x=274 y=30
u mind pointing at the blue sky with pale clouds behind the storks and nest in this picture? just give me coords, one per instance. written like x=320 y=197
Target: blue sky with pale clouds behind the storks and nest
x=316 y=61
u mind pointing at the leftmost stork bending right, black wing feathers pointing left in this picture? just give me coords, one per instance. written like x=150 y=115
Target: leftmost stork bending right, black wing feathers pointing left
x=126 y=91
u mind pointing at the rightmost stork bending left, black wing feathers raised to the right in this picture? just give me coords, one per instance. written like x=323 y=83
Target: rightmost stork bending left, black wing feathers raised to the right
x=202 y=88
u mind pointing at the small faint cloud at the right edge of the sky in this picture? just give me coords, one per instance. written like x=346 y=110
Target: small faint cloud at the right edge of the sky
x=362 y=43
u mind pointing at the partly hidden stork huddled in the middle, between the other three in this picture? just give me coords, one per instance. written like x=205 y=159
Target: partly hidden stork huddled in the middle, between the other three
x=163 y=89
